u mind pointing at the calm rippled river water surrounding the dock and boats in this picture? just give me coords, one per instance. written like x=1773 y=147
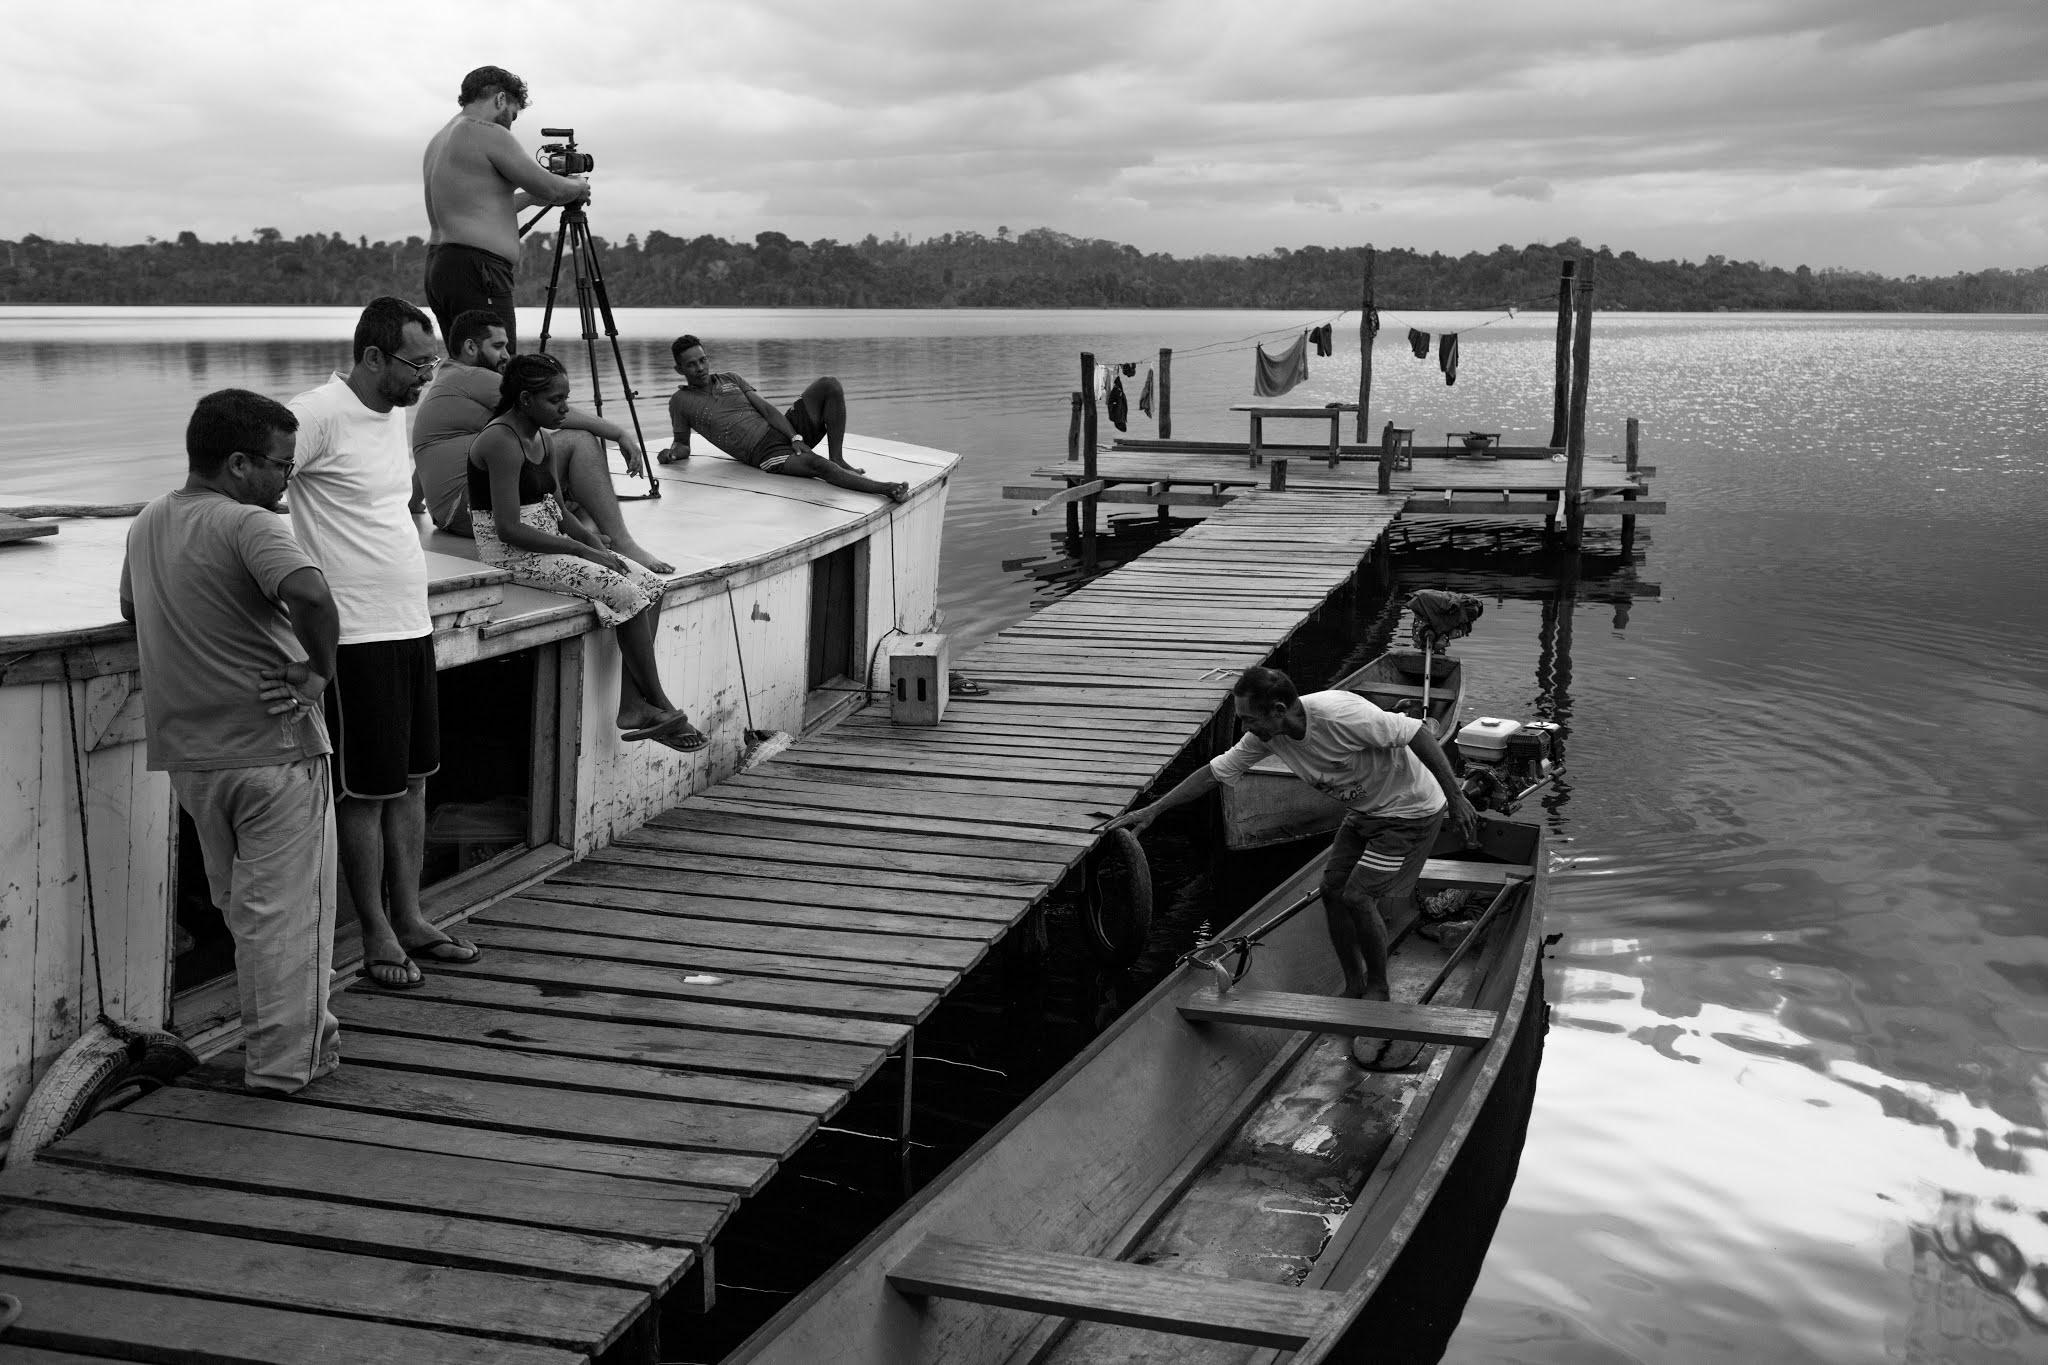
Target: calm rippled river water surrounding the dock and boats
x=1793 y=1100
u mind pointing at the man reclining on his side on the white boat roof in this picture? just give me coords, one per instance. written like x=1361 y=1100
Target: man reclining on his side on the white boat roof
x=740 y=423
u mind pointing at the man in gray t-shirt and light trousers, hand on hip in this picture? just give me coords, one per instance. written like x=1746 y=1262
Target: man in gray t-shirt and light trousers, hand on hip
x=237 y=633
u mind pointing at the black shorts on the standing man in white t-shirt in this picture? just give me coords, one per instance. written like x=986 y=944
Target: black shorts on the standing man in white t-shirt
x=384 y=717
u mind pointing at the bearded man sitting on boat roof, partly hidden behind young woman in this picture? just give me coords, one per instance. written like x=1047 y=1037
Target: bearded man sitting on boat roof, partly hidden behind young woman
x=460 y=404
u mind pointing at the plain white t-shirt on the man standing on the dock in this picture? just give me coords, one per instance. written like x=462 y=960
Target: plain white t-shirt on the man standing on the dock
x=351 y=511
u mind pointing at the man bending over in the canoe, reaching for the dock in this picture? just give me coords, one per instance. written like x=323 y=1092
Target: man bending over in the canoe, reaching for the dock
x=1385 y=768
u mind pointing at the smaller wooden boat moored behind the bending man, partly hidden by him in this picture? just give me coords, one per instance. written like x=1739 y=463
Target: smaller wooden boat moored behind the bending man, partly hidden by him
x=1271 y=805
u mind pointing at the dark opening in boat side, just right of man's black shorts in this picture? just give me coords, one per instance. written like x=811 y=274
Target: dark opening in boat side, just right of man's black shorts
x=478 y=803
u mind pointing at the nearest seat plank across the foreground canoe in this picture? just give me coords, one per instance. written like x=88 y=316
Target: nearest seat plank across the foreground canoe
x=1113 y=1292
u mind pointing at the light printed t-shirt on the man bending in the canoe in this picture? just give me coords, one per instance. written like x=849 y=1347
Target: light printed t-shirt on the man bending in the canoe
x=1353 y=752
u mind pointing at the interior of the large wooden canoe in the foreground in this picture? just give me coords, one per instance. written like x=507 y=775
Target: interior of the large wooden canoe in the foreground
x=1201 y=1147
